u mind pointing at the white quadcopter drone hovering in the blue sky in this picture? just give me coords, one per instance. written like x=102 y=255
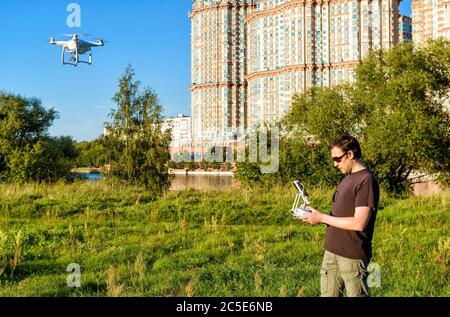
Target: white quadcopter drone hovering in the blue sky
x=76 y=47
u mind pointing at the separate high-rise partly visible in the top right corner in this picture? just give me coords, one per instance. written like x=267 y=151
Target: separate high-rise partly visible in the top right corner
x=431 y=20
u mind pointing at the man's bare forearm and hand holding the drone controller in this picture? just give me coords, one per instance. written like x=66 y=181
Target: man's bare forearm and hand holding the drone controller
x=357 y=223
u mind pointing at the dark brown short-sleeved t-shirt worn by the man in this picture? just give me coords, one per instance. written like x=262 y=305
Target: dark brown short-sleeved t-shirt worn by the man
x=360 y=189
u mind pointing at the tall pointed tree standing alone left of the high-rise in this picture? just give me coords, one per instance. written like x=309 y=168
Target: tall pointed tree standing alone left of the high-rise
x=138 y=149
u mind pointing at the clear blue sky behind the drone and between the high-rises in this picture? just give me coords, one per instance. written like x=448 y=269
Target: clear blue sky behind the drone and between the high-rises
x=154 y=36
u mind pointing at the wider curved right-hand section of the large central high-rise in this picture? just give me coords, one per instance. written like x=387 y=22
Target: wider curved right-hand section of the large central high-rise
x=296 y=44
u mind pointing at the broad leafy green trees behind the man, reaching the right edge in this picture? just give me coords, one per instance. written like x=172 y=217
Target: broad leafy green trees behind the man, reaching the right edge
x=396 y=108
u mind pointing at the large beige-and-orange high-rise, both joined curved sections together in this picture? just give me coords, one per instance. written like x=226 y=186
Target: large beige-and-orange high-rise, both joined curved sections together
x=249 y=57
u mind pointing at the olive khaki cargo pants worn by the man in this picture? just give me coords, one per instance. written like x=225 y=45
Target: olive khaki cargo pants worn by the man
x=339 y=273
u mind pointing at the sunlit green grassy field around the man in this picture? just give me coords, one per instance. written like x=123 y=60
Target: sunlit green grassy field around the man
x=232 y=243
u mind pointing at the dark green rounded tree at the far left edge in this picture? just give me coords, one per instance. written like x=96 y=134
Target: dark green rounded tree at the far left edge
x=27 y=152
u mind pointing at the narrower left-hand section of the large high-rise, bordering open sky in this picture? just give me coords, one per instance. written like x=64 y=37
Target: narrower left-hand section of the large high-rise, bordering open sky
x=218 y=68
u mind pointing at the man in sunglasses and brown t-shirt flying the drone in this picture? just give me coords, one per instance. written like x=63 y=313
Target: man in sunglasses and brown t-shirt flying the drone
x=348 y=246
